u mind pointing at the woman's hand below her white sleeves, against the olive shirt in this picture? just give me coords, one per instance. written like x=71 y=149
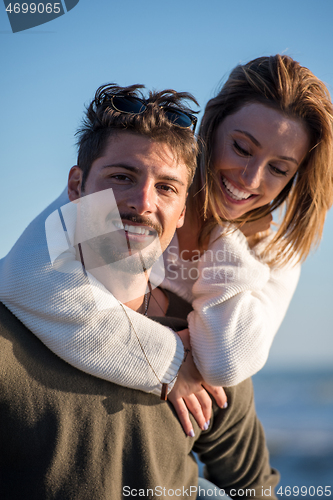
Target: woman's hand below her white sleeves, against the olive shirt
x=190 y=393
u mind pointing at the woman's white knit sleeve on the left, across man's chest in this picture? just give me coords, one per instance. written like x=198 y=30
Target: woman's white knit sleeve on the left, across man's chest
x=113 y=343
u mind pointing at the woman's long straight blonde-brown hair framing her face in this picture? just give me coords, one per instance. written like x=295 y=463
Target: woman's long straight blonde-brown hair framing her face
x=283 y=84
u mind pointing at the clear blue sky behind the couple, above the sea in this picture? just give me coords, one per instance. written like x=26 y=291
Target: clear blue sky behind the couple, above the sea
x=49 y=72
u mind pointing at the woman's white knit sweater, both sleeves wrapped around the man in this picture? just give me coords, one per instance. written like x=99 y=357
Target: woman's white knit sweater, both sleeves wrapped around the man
x=239 y=303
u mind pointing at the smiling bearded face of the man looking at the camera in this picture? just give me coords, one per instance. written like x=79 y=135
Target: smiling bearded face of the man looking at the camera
x=149 y=185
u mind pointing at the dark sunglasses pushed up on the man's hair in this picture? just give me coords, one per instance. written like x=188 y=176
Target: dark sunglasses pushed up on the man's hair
x=134 y=105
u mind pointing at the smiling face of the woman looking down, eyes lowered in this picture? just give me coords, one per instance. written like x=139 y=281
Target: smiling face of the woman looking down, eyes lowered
x=256 y=152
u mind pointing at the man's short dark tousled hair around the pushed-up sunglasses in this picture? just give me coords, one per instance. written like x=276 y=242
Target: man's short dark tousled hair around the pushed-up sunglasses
x=102 y=121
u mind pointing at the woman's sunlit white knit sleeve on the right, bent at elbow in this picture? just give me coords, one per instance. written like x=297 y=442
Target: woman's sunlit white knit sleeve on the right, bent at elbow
x=239 y=303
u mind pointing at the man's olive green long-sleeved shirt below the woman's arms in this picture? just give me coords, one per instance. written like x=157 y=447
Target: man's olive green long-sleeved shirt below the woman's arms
x=65 y=435
